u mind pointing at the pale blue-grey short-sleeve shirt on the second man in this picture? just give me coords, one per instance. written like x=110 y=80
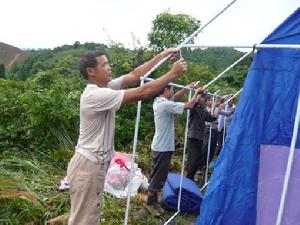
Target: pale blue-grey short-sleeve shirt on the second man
x=164 y=111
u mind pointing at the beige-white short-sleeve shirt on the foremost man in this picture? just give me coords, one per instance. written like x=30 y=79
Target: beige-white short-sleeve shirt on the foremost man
x=97 y=120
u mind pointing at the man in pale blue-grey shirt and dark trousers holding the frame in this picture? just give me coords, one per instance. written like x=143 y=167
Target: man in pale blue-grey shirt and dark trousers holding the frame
x=165 y=108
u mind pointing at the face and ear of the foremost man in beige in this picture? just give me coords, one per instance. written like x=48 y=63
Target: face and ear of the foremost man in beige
x=102 y=72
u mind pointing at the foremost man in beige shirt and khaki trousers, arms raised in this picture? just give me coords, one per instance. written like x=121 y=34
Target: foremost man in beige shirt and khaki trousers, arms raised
x=101 y=98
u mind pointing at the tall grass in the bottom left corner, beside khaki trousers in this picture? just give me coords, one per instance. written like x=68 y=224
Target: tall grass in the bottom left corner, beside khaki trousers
x=27 y=192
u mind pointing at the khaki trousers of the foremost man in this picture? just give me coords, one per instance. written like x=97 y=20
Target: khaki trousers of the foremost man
x=86 y=181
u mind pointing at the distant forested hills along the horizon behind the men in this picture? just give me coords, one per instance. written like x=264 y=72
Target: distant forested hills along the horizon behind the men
x=124 y=60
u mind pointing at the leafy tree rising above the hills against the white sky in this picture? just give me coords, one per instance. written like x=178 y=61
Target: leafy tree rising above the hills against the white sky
x=169 y=30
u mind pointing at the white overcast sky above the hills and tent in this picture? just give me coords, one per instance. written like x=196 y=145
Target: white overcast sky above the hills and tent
x=51 y=23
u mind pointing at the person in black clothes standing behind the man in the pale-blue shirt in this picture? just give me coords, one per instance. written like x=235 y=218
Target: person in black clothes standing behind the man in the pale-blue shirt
x=196 y=154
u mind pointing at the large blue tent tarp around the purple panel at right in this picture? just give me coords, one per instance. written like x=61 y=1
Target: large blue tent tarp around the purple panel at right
x=264 y=116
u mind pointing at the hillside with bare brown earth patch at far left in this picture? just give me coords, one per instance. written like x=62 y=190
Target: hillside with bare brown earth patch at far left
x=10 y=55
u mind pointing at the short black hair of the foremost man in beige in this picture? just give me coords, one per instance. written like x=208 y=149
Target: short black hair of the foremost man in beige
x=88 y=60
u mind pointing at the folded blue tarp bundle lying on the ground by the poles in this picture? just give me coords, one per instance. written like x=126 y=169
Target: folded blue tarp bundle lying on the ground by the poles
x=190 y=197
